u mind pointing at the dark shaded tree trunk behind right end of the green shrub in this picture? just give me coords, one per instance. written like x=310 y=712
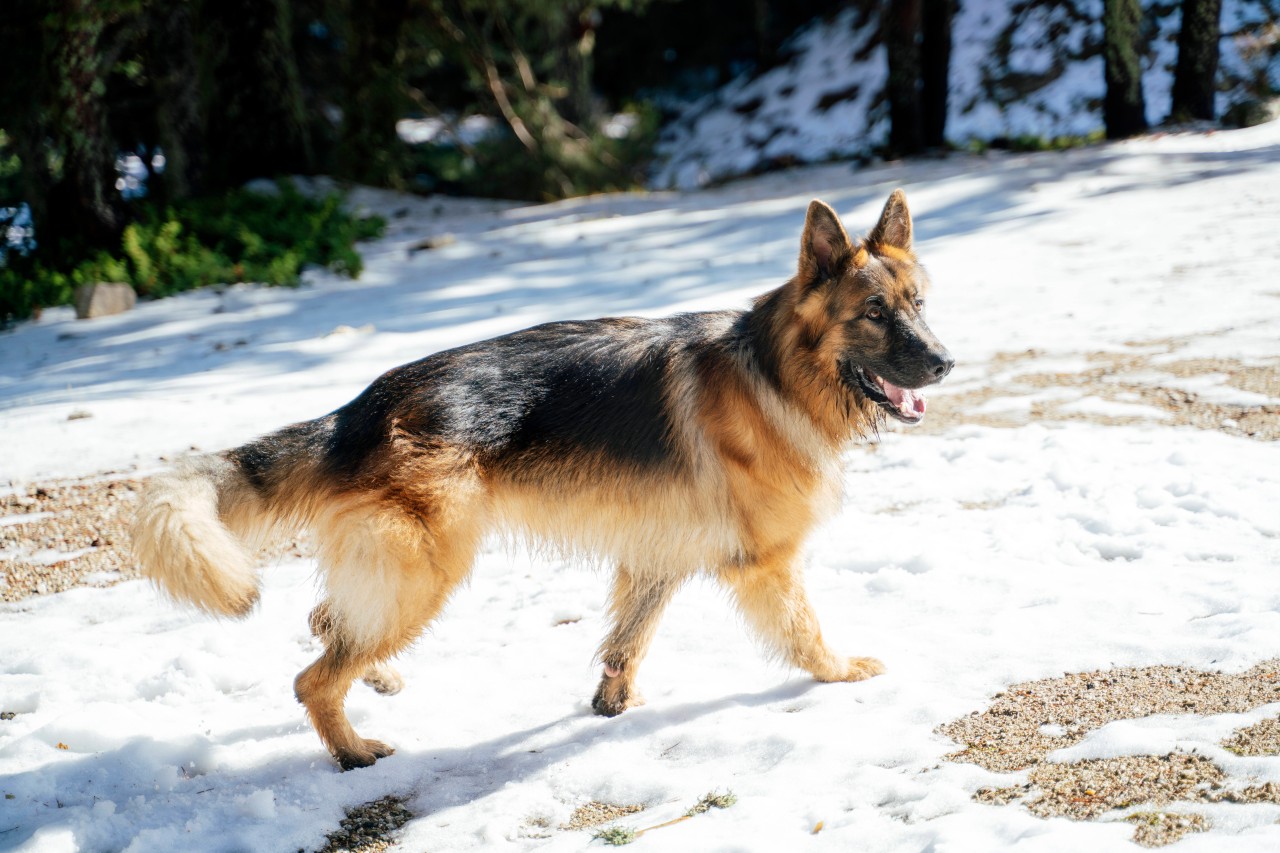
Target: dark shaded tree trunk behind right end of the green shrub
x=369 y=148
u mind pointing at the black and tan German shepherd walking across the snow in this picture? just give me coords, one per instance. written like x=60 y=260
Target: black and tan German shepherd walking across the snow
x=697 y=444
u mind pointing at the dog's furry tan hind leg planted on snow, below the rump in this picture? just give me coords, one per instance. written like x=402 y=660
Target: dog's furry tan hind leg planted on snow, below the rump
x=388 y=574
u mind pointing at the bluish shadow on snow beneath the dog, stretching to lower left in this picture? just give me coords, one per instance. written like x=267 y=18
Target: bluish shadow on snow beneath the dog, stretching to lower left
x=159 y=787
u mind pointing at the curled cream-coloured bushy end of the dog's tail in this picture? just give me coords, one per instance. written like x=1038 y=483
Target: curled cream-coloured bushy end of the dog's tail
x=196 y=533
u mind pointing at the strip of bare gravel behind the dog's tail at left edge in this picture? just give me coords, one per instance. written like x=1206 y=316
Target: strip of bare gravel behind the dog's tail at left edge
x=75 y=533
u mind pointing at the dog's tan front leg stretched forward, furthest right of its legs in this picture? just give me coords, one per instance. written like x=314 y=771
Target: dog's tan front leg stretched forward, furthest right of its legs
x=772 y=599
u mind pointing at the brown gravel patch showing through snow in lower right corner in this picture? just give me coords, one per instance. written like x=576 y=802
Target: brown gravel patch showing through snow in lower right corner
x=1032 y=719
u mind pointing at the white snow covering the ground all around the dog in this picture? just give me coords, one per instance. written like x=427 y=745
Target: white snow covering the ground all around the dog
x=966 y=559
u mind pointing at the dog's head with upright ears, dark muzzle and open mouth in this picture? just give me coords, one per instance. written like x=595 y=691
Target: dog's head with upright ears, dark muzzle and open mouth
x=862 y=309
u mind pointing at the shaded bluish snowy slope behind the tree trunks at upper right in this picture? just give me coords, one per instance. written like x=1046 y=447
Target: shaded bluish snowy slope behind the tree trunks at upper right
x=1017 y=70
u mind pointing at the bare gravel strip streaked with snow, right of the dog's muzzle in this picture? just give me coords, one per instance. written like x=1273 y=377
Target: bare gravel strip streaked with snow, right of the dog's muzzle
x=1116 y=378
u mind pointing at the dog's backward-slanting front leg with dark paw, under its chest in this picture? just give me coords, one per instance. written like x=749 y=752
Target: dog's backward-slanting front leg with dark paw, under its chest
x=636 y=606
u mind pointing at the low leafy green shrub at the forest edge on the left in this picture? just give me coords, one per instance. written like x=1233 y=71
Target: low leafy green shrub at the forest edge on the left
x=243 y=236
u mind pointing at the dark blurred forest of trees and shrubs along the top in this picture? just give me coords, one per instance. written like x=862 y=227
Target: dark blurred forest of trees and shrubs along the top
x=130 y=129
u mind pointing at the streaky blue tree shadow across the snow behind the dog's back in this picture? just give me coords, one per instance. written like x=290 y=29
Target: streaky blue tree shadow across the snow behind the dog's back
x=577 y=259
